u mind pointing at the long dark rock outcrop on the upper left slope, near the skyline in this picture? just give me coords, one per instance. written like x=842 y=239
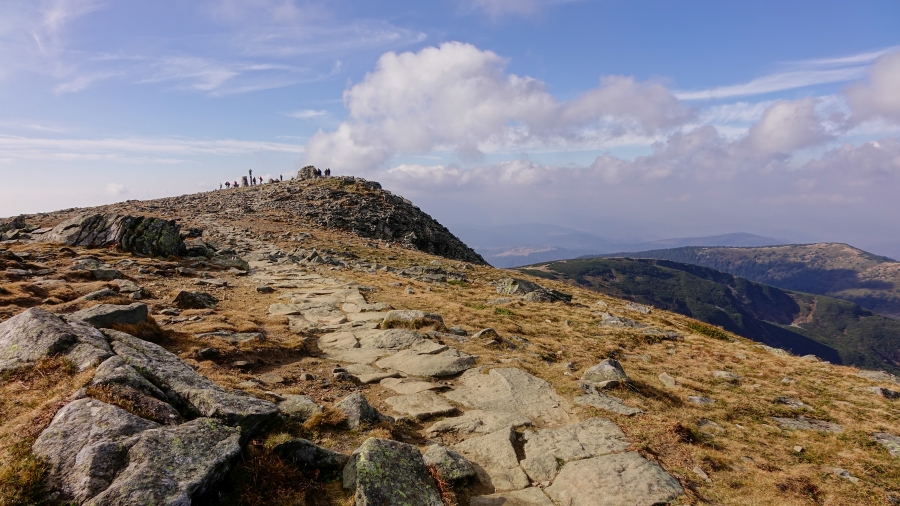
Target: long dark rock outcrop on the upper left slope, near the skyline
x=135 y=234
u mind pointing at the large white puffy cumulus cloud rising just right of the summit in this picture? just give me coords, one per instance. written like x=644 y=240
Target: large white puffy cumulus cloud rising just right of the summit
x=458 y=97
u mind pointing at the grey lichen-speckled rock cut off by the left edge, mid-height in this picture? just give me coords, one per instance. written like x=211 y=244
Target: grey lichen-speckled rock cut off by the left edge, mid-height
x=34 y=334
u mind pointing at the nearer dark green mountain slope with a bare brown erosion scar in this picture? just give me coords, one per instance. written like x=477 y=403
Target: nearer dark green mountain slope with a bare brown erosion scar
x=832 y=329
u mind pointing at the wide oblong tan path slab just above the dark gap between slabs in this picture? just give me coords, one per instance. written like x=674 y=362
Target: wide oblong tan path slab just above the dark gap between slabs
x=510 y=390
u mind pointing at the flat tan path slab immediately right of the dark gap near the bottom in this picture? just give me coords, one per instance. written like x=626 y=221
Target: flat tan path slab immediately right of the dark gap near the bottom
x=545 y=449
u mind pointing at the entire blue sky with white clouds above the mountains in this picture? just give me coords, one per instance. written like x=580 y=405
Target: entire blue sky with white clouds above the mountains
x=630 y=119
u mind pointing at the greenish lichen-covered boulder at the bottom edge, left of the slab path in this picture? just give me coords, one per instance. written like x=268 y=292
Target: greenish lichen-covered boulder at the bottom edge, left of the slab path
x=387 y=472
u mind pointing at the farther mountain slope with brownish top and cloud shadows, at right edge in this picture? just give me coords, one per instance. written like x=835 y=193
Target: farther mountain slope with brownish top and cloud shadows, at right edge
x=836 y=270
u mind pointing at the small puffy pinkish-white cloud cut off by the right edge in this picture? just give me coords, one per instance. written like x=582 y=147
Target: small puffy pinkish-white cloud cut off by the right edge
x=880 y=96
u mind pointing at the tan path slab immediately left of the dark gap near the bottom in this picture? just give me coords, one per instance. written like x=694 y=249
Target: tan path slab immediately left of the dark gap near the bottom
x=496 y=463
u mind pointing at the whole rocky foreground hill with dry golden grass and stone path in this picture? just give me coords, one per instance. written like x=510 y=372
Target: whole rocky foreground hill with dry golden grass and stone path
x=326 y=343
